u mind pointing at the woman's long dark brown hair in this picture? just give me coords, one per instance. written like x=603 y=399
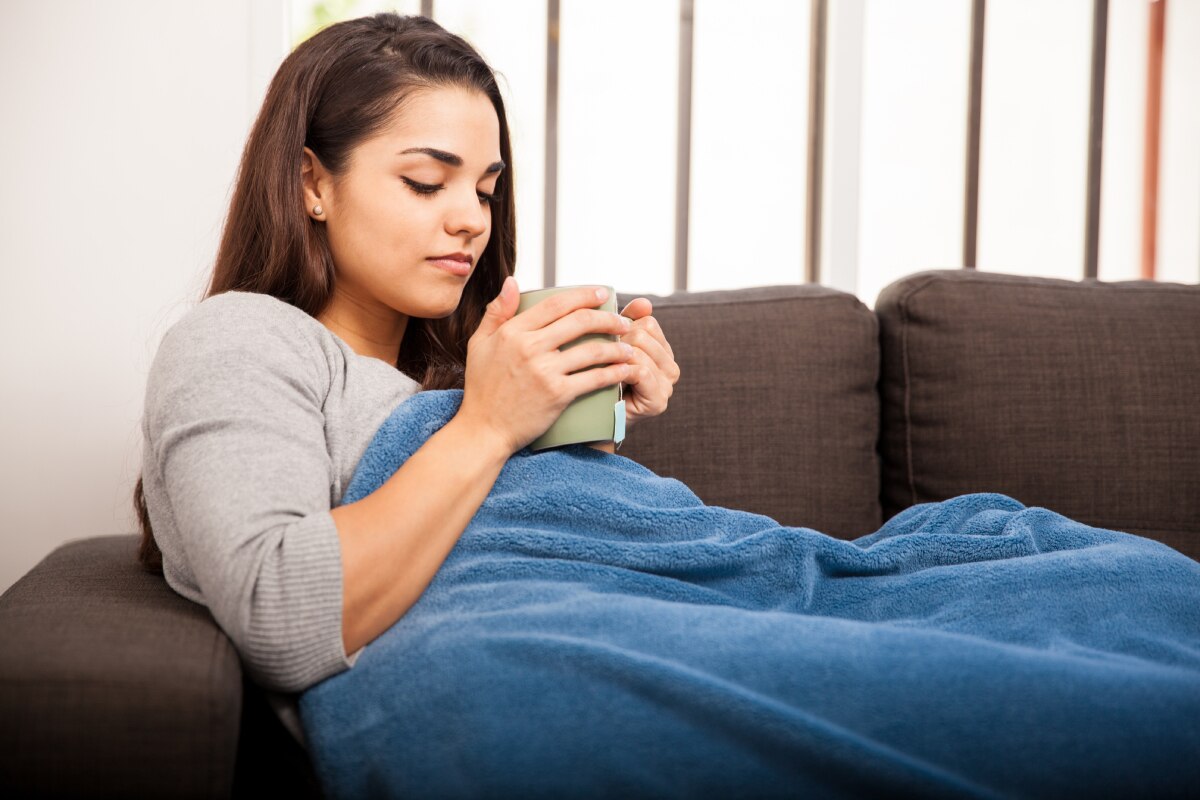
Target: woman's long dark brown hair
x=334 y=92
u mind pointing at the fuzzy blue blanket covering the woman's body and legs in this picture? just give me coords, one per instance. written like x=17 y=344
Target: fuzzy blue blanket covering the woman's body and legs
x=599 y=631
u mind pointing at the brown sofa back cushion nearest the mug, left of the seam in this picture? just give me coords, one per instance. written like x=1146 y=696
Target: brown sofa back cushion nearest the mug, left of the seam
x=776 y=411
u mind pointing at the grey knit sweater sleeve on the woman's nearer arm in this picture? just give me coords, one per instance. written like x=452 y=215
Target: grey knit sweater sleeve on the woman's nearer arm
x=235 y=418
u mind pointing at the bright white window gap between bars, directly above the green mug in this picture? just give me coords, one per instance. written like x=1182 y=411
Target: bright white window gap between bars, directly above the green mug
x=619 y=88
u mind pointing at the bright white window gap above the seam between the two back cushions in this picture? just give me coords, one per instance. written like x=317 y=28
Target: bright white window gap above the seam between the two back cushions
x=914 y=141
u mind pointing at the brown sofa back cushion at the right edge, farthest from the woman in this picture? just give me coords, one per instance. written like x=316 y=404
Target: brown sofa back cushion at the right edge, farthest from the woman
x=1081 y=398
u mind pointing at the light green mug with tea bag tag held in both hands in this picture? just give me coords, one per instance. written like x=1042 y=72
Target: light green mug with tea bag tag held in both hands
x=598 y=416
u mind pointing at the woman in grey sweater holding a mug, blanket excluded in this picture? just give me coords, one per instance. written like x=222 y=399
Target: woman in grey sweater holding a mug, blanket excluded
x=358 y=266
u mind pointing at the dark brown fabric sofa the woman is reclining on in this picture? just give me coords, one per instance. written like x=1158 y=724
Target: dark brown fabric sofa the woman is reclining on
x=797 y=402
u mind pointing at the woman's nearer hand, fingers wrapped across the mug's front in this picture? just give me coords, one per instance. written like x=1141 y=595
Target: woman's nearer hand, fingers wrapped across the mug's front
x=518 y=382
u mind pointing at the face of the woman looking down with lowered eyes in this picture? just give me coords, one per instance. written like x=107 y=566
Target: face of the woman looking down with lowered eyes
x=411 y=194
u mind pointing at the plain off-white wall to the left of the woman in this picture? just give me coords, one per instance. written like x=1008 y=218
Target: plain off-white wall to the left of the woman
x=123 y=127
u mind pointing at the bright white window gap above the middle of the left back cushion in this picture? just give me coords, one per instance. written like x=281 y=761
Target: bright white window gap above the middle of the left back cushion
x=749 y=148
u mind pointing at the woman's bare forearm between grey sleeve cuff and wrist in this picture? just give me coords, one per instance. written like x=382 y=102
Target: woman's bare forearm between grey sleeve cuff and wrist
x=395 y=540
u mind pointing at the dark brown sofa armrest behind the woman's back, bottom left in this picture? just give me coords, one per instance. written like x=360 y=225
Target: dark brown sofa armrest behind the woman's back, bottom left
x=111 y=684
